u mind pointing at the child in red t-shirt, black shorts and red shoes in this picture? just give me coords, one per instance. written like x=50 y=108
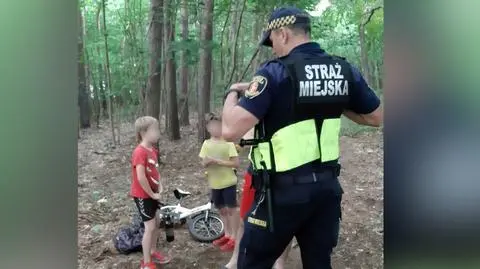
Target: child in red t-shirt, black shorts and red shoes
x=146 y=187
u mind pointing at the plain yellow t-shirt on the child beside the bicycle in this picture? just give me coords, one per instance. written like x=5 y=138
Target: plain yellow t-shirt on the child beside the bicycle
x=219 y=177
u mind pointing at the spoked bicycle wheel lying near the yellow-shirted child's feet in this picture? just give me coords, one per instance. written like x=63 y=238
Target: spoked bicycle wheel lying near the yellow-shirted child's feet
x=206 y=227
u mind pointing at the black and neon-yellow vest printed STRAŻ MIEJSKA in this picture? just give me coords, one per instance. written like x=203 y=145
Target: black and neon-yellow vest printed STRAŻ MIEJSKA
x=318 y=101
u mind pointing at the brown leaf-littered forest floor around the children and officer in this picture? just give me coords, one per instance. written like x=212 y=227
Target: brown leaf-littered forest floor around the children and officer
x=104 y=207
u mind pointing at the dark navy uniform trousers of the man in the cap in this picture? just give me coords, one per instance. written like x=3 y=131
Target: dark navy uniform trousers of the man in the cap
x=309 y=211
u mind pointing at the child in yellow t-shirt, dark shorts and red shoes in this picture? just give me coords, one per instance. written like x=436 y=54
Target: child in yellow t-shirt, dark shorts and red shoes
x=220 y=158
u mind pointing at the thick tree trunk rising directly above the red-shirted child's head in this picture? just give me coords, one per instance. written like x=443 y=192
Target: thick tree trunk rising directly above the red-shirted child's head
x=155 y=43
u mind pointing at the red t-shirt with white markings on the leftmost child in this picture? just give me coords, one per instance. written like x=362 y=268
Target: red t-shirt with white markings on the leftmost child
x=147 y=158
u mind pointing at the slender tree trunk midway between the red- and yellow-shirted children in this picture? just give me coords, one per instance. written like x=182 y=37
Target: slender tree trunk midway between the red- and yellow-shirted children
x=184 y=115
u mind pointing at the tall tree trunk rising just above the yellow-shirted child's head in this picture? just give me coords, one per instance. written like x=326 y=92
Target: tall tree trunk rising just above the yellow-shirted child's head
x=205 y=70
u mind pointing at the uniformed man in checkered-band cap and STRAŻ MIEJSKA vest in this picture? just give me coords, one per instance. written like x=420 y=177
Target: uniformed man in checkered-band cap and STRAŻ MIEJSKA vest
x=295 y=103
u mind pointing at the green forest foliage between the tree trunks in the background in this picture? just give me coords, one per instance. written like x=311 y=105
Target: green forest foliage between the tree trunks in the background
x=128 y=24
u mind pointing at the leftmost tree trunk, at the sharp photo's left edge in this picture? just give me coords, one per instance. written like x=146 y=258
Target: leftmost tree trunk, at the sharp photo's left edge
x=83 y=96
